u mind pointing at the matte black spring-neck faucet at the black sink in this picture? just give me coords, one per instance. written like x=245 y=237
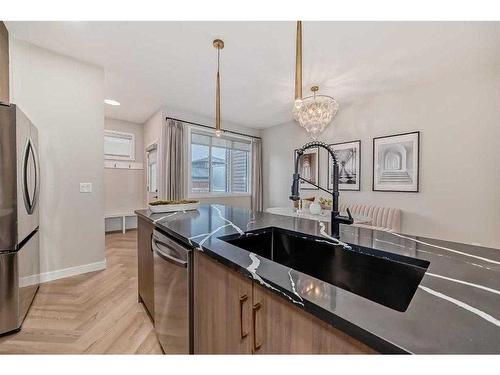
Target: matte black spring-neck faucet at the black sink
x=336 y=218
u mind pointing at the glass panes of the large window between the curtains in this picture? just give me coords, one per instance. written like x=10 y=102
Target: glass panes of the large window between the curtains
x=218 y=165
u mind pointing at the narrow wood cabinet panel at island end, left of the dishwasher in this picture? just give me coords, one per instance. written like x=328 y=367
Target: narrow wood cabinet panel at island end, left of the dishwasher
x=145 y=264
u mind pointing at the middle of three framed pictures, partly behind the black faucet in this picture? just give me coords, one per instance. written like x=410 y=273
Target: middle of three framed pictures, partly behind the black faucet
x=348 y=156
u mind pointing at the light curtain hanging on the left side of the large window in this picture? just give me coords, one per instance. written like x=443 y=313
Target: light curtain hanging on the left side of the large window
x=171 y=160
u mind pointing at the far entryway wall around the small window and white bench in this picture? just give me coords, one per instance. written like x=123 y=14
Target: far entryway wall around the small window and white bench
x=124 y=189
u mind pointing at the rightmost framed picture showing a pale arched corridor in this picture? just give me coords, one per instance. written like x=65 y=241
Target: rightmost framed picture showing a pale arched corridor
x=396 y=162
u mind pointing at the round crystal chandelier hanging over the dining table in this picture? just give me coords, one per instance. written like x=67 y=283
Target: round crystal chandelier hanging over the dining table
x=315 y=112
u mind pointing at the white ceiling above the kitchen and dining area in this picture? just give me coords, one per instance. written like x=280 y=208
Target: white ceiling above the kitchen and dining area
x=153 y=64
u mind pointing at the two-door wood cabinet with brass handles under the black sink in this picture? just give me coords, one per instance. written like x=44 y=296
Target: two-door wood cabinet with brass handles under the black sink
x=234 y=315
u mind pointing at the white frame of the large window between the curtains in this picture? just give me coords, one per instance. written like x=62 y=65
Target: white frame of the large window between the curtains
x=198 y=130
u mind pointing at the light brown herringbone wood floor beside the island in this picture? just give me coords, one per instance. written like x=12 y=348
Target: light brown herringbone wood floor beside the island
x=95 y=312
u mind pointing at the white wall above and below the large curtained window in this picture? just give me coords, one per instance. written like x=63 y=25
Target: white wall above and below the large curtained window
x=152 y=131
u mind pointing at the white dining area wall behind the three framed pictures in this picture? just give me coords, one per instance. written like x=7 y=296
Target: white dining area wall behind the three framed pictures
x=458 y=118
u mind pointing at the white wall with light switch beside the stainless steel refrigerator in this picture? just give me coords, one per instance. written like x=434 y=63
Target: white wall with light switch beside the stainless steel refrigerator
x=64 y=99
